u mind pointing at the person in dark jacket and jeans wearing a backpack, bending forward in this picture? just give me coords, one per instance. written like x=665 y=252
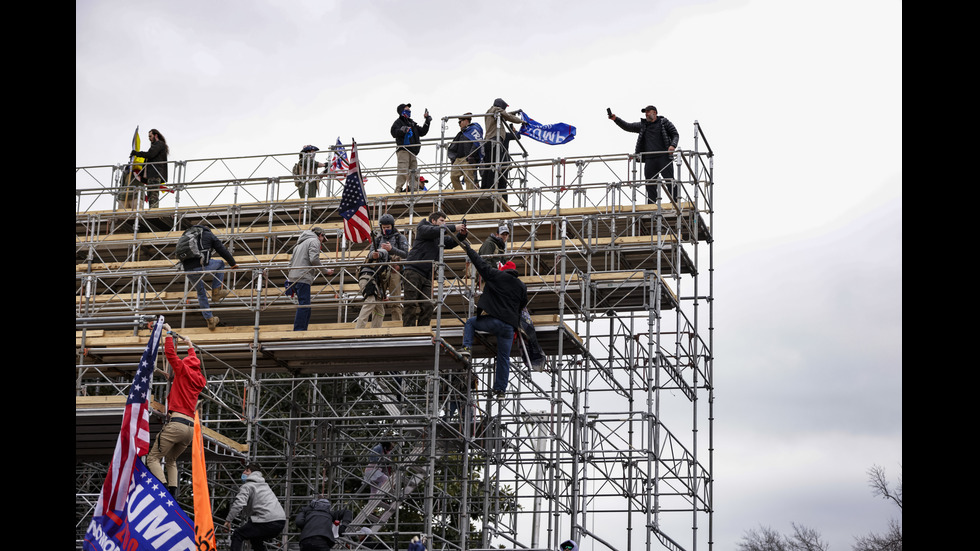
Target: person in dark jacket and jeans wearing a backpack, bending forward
x=194 y=250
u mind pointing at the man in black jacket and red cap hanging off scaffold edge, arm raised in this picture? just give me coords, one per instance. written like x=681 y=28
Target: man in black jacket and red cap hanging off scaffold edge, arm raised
x=498 y=312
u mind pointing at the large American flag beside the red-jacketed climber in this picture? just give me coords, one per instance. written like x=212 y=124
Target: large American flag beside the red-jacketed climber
x=134 y=436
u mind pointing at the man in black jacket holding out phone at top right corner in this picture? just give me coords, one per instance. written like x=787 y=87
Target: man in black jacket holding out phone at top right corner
x=656 y=142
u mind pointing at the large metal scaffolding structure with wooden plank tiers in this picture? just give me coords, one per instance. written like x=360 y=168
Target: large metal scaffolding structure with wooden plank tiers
x=609 y=444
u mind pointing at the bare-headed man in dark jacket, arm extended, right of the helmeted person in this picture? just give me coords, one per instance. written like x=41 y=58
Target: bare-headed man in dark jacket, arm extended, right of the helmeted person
x=417 y=276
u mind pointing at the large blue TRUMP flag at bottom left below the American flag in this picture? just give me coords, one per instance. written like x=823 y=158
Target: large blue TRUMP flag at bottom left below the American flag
x=151 y=520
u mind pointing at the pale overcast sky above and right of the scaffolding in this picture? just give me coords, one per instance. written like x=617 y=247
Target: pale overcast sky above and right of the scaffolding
x=801 y=102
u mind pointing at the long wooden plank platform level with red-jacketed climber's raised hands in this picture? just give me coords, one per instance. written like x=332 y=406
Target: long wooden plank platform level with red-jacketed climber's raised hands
x=324 y=348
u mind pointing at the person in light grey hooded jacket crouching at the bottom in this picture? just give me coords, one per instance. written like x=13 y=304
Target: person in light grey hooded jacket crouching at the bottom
x=265 y=516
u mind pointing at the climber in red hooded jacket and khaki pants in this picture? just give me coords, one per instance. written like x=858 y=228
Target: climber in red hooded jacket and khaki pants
x=178 y=433
